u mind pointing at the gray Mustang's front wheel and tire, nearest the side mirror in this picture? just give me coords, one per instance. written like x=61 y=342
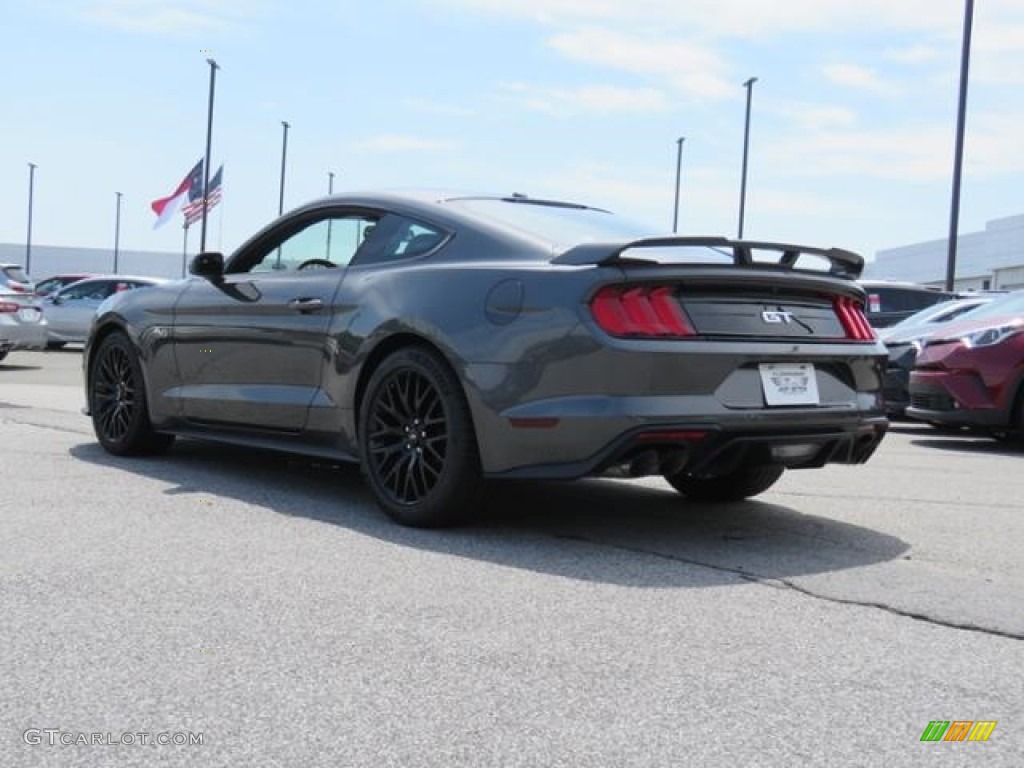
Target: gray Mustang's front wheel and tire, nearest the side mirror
x=117 y=402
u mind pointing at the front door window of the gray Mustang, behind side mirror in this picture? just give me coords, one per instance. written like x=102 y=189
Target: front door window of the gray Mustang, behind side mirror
x=326 y=243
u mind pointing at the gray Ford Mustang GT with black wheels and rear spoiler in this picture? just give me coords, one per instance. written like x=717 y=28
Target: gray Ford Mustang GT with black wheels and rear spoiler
x=442 y=342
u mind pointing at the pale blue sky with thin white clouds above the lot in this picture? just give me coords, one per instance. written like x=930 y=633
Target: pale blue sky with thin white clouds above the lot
x=852 y=122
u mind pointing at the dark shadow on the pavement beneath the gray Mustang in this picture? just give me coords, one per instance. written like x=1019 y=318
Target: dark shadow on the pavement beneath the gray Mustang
x=615 y=532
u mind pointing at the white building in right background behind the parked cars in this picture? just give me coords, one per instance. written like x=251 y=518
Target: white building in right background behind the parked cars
x=990 y=260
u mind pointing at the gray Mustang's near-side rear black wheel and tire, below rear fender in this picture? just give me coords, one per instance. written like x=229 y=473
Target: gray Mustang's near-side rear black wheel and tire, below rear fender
x=417 y=442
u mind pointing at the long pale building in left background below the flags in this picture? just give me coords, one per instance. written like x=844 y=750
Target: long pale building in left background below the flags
x=48 y=261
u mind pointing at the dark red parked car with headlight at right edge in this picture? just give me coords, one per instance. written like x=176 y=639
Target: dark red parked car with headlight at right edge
x=972 y=373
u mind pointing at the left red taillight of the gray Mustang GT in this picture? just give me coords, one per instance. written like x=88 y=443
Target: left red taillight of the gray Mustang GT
x=641 y=311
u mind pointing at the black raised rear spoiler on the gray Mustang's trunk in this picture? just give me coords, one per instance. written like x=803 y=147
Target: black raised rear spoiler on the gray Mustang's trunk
x=844 y=264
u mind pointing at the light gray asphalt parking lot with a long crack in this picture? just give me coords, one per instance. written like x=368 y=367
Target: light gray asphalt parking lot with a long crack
x=263 y=602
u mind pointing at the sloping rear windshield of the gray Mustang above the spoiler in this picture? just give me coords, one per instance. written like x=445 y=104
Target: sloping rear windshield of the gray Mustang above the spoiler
x=563 y=225
